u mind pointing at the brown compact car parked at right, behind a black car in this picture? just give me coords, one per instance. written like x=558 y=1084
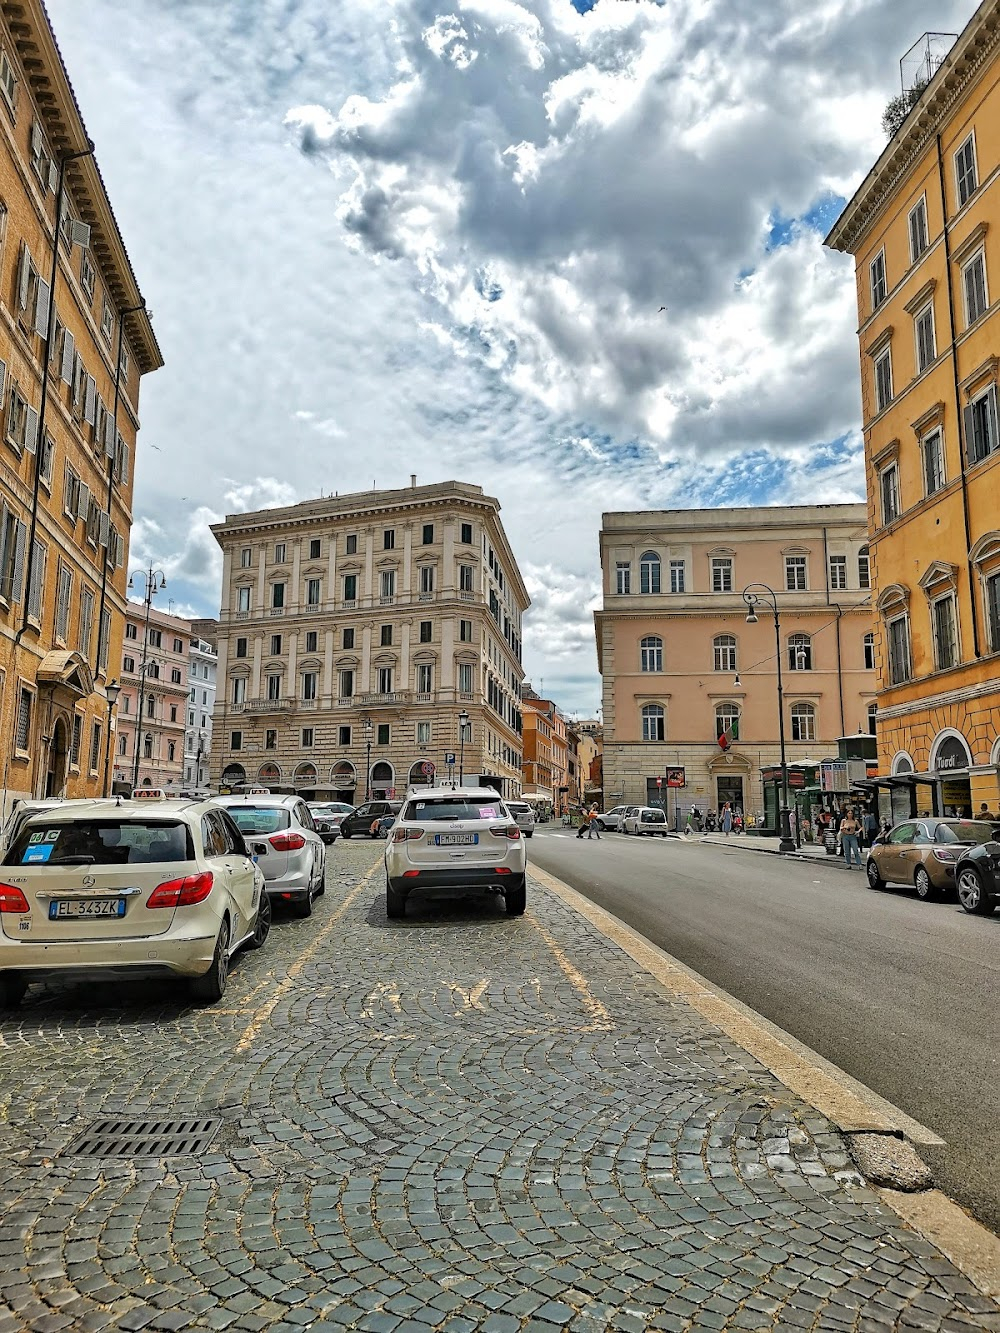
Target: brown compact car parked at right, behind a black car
x=925 y=854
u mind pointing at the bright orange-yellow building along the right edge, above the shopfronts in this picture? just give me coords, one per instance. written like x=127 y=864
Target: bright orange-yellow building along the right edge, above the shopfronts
x=923 y=233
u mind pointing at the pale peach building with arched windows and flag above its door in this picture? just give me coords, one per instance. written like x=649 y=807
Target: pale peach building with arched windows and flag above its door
x=682 y=667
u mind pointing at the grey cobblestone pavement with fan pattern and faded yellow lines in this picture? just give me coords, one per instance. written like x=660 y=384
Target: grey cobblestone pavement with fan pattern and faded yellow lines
x=458 y=1122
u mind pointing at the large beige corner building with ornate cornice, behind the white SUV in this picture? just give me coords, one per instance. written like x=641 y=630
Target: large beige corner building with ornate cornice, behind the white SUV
x=365 y=638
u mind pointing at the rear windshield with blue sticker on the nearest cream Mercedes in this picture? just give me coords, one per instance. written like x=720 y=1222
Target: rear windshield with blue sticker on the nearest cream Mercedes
x=101 y=843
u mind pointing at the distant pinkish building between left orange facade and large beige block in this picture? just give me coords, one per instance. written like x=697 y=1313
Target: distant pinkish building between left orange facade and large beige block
x=153 y=704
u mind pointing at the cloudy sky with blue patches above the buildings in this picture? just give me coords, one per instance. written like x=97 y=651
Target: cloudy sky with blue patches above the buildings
x=385 y=238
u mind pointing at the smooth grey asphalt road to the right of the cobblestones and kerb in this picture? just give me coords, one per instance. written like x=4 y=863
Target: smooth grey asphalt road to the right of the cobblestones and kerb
x=899 y=994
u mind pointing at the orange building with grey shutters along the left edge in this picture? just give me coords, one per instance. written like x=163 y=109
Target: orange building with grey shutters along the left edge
x=74 y=345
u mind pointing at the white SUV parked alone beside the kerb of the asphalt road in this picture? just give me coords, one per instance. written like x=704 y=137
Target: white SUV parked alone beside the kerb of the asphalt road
x=455 y=840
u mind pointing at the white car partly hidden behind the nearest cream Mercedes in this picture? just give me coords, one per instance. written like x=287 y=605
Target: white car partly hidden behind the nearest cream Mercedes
x=282 y=835
